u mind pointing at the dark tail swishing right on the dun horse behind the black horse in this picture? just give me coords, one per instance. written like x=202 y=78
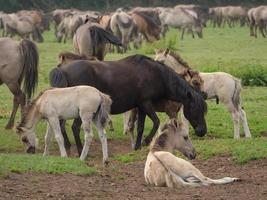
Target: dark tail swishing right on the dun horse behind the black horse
x=100 y=36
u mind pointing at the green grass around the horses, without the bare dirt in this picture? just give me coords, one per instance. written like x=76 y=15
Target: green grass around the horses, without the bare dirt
x=230 y=50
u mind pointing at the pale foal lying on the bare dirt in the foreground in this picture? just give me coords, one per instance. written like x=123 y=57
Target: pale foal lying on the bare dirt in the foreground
x=163 y=168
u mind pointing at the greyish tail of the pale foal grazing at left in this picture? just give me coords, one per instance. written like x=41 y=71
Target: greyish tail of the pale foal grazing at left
x=102 y=114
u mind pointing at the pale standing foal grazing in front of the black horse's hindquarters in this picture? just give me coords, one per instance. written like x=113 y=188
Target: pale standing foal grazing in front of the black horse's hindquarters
x=66 y=103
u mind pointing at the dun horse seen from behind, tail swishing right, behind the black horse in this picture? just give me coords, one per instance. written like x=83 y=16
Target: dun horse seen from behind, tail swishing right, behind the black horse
x=90 y=39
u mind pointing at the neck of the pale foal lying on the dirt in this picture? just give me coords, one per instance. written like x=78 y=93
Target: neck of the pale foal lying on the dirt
x=162 y=143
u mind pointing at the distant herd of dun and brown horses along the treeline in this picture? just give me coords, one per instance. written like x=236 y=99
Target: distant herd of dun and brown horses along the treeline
x=135 y=24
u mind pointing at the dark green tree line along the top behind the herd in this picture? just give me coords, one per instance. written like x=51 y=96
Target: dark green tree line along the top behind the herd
x=107 y=5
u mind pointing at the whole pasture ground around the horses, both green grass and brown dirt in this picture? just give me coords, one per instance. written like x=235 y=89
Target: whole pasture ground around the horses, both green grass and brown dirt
x=218 y=154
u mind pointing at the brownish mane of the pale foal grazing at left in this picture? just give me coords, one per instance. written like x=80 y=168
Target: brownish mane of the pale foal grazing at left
x=28 y=107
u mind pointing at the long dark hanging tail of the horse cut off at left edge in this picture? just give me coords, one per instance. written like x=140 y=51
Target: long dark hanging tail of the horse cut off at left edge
x=30 y=58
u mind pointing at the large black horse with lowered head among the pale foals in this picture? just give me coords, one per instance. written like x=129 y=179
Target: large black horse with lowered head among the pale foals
x=134 y=82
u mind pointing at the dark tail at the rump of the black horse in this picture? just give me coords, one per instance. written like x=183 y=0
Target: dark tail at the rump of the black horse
x=57 y=78
